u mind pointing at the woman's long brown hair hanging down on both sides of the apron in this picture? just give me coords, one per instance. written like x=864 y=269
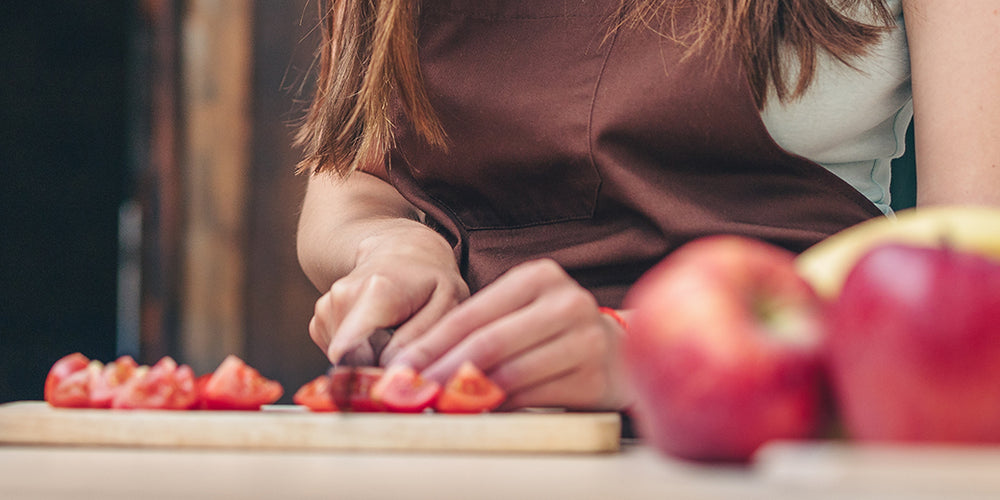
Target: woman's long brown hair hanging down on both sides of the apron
x=368 y=56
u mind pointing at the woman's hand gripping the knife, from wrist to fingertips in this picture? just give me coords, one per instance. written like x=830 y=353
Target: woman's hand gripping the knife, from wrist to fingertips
x=405 y=278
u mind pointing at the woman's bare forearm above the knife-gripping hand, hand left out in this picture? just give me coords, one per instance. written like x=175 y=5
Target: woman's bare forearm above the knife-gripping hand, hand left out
x=345 y=221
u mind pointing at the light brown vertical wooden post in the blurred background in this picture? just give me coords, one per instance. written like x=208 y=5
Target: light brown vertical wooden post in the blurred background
x=216 y=67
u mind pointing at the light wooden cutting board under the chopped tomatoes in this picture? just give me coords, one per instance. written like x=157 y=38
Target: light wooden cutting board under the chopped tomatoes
x=288 y=427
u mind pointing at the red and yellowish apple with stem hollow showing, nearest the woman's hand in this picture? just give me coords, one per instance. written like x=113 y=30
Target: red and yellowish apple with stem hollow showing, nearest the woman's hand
x=724 y=350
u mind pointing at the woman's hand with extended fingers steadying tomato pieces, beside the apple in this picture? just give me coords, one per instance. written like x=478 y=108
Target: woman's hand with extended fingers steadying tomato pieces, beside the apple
x=536 y=333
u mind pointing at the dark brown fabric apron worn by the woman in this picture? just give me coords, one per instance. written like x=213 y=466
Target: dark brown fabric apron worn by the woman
x=604 y=155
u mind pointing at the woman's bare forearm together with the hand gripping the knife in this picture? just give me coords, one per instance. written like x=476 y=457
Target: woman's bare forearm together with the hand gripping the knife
x=362 y=244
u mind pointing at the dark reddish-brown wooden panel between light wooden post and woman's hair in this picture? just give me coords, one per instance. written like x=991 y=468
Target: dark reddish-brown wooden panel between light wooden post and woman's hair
x=279 y=298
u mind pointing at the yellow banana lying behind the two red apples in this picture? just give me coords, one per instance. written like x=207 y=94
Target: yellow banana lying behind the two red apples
x=966 y=228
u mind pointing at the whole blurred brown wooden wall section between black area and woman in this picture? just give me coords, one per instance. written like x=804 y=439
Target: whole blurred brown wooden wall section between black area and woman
x=219 y=194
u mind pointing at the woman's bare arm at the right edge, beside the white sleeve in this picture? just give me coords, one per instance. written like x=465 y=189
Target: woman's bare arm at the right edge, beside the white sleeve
x=955 y=58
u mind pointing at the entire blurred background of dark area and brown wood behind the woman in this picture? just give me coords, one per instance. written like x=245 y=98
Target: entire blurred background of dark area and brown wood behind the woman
x=148 y=200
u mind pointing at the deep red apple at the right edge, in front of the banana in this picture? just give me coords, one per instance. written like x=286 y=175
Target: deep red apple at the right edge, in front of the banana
x=914 y=346
